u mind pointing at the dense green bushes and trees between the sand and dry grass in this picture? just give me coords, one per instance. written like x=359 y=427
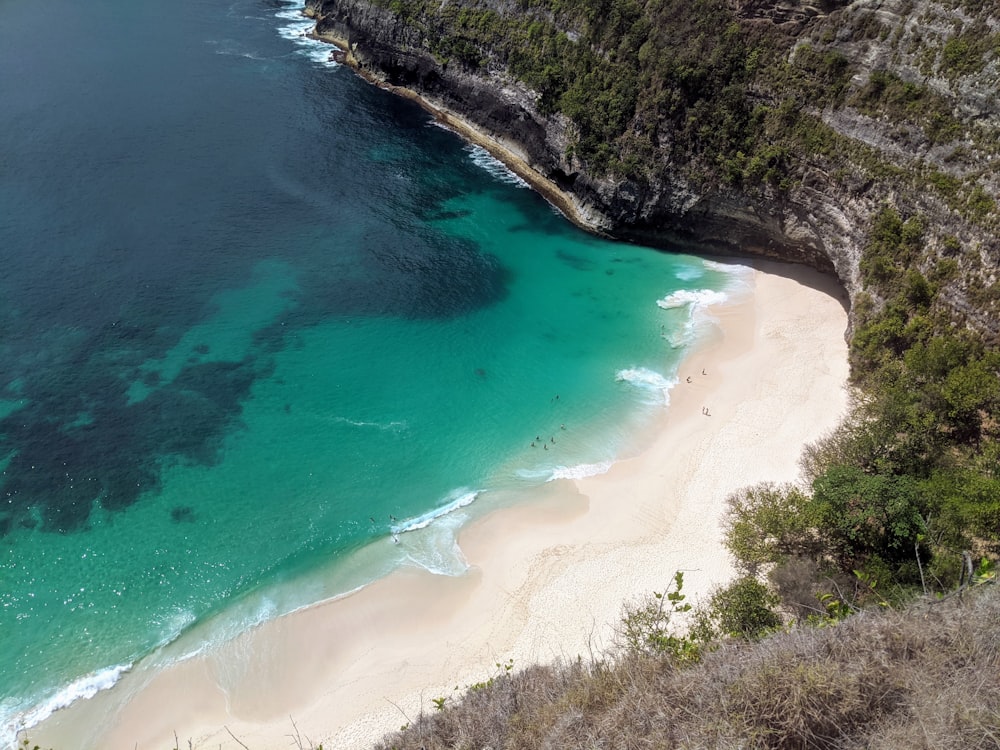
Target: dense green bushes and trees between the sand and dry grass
x=905 y=494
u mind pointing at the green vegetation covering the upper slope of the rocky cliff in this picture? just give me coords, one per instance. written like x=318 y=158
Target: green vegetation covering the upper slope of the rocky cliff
x=733 y=98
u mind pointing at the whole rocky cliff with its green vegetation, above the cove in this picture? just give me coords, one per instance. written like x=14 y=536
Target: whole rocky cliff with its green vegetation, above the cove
x=777 y=128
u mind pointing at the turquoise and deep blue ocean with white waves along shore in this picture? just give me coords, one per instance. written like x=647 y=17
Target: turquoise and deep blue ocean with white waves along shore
x=268 y=333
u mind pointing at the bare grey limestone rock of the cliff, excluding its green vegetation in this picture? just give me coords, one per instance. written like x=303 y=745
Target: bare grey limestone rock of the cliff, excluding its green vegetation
x=822 y=217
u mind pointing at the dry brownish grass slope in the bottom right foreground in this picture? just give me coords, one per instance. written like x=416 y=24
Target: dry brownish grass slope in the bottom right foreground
x=928 y=677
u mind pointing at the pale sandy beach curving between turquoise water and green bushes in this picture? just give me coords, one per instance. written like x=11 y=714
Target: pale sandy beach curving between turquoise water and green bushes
x=547 y=578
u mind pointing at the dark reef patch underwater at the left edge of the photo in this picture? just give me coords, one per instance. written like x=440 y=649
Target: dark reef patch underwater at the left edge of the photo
x=62 y=467
